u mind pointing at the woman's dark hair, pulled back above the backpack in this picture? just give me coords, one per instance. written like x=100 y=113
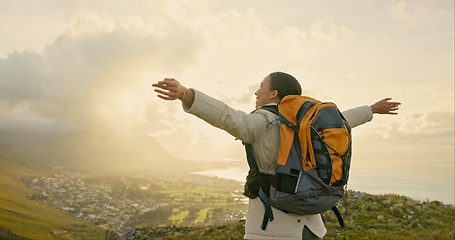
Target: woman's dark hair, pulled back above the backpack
x=285 y=84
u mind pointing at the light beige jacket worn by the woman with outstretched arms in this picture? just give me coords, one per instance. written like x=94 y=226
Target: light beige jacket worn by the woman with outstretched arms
x=261 y=129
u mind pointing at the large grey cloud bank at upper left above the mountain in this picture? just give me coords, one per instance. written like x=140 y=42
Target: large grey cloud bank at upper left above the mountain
x=91 y=68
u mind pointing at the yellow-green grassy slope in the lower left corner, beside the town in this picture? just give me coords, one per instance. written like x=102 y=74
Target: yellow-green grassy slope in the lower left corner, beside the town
x=31 y=219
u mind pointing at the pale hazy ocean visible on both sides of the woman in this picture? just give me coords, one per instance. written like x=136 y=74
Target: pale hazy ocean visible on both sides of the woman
x=374 y=180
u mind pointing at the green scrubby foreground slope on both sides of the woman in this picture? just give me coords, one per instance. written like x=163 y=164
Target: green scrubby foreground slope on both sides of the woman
x=370 y=217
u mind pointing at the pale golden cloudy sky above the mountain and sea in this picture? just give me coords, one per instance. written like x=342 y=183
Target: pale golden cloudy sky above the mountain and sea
x=89 y=64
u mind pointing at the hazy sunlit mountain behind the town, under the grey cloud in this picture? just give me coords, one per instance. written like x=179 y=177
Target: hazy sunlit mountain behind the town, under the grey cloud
x=99 y=150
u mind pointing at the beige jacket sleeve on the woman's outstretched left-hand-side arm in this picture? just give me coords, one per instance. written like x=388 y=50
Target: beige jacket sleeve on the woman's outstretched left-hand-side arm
x=244 y=126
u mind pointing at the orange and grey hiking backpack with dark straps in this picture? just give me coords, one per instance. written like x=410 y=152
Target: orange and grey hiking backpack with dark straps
x=313 y=160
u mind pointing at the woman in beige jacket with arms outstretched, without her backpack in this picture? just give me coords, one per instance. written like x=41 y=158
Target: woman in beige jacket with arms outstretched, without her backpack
x=261 y=130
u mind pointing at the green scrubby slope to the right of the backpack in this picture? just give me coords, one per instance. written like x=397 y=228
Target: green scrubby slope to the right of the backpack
x=392 y=216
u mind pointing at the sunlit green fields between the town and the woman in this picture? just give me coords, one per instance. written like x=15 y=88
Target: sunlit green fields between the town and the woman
x=194 y=201
